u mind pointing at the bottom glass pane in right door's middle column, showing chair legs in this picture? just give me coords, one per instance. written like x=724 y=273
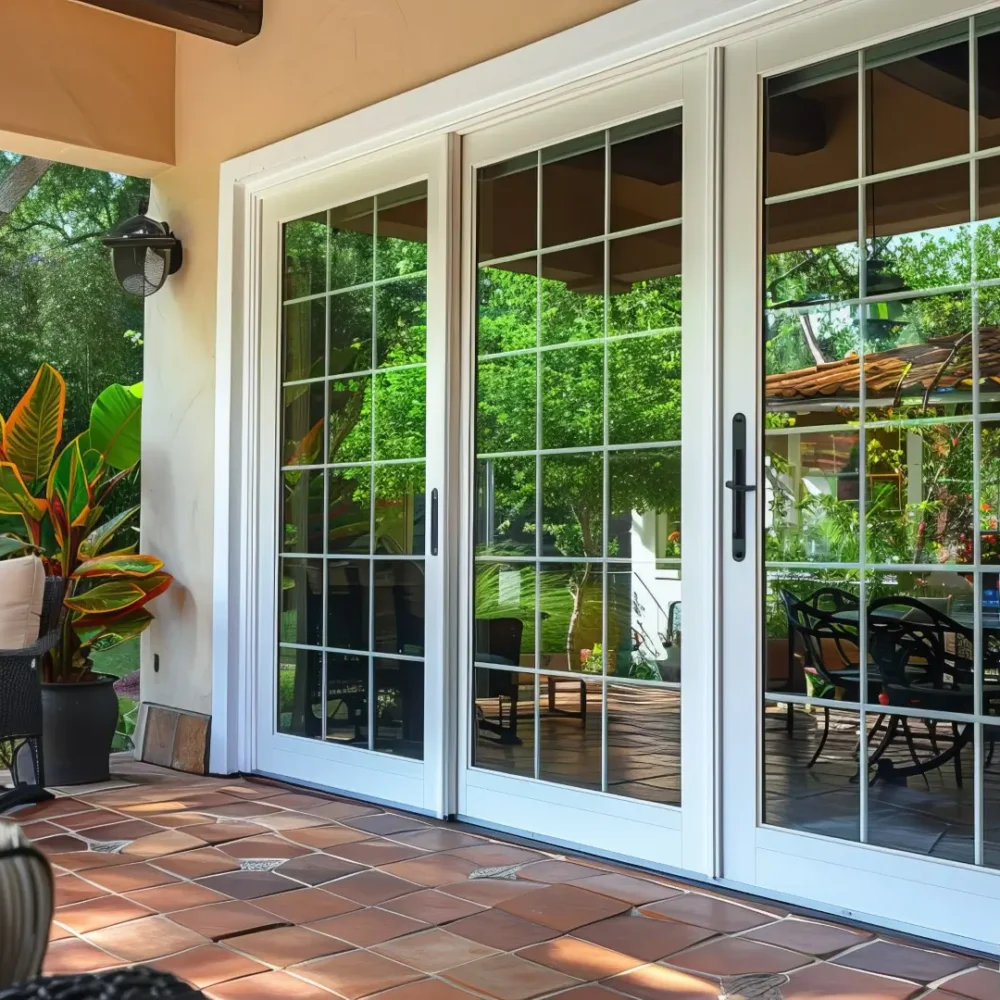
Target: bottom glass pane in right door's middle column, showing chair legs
x=922 y=797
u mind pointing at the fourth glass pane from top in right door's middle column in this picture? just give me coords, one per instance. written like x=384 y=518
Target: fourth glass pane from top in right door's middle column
x=920 y=493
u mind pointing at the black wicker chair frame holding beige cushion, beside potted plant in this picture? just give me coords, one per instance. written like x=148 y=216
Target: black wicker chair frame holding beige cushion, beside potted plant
x=21 y=704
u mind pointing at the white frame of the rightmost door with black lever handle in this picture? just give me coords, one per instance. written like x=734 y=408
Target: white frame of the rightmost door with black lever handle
x=952 y=901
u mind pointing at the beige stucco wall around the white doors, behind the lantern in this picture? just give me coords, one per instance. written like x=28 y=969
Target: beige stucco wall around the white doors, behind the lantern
x=316 y=60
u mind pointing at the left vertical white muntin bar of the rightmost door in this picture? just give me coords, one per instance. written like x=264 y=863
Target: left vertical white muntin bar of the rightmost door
x=863 y=124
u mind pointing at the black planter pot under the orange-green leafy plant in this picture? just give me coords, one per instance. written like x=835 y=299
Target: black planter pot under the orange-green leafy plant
x=78 y=728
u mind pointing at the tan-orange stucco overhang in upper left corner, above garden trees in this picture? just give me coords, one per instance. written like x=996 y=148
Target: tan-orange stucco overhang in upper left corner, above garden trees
x=83 y=86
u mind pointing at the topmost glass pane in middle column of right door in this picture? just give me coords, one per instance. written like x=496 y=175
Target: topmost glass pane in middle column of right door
x=918 y=96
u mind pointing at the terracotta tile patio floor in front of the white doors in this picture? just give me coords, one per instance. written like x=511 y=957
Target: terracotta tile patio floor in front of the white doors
x=251 y=891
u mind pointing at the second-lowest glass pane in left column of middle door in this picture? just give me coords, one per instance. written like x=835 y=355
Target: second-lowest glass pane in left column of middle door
x=505 y=614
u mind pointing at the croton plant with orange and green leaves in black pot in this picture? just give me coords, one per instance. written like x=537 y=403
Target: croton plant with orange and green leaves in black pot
x=53 y=502
